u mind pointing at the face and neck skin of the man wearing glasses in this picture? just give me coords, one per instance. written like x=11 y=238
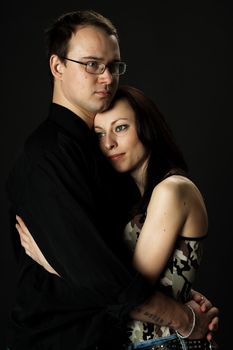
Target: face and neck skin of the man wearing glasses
x=84 y=93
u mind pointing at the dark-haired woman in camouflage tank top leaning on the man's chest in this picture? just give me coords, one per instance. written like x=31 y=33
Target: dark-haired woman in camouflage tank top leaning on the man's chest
x=170 y=221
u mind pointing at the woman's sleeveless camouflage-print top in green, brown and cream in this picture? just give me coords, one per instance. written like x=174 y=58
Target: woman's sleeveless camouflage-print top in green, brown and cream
x=176 y=280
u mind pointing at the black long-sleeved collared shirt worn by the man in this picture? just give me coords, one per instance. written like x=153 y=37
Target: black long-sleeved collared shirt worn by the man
x=75 y=207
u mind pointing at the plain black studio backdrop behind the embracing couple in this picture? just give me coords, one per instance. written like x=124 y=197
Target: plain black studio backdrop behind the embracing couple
x=180 y=54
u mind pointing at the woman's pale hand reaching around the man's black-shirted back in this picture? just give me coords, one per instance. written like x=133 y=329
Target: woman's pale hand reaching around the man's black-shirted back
x=30 y=246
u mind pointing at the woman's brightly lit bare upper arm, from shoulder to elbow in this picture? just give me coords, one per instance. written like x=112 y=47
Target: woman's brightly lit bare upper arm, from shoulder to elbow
x=166 y=216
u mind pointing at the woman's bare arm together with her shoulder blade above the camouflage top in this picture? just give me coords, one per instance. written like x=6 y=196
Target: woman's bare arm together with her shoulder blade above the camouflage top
x=175 y=209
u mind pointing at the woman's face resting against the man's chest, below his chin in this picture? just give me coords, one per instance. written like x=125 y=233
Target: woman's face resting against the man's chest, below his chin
x=118 y=139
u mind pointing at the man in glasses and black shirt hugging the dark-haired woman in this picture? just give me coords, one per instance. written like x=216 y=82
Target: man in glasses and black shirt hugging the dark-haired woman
x=74 y=206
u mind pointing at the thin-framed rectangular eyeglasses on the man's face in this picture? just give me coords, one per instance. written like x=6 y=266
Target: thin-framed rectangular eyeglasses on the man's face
x=94 y=67
